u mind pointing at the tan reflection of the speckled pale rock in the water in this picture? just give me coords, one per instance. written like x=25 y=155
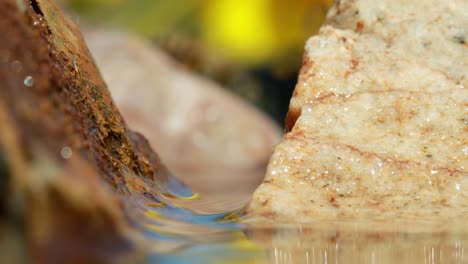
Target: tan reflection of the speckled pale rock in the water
x=308 y=245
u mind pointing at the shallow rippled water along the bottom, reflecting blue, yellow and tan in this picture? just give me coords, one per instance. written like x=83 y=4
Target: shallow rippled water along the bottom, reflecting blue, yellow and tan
x=171 y=232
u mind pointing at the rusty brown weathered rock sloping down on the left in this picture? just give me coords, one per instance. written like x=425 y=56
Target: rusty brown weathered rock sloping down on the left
x=66 y=155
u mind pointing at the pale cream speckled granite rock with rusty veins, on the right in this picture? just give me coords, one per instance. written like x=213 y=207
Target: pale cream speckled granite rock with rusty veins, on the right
x=378 y=121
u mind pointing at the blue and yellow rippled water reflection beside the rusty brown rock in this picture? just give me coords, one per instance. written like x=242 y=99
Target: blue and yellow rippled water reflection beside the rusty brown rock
x=194 y=238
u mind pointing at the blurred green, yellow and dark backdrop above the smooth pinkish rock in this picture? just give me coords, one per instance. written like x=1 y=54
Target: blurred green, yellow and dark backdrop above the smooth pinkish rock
x=252 y=47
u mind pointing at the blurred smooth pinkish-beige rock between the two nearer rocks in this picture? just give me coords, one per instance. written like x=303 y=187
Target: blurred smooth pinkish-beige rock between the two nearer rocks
x=209 y=138
